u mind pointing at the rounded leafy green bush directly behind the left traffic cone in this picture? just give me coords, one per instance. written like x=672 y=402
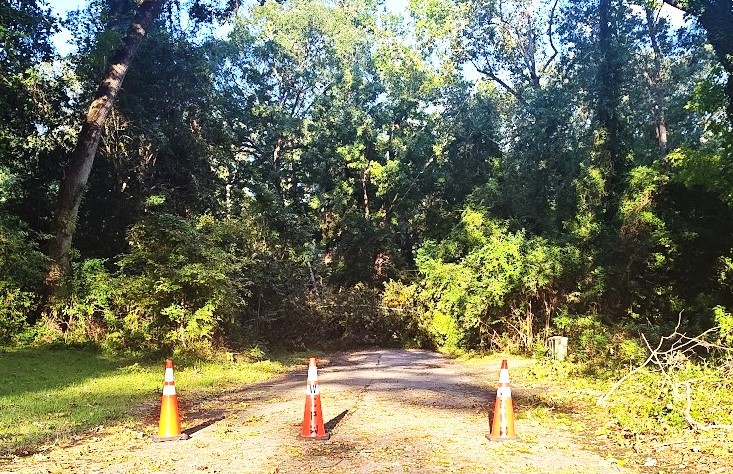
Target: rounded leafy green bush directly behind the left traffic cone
x=179 y=281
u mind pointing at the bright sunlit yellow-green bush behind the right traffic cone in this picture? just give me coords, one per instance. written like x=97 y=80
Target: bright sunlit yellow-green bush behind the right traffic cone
x=485 y=281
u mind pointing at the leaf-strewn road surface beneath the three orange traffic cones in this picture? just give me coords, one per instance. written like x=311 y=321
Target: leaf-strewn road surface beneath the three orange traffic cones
x=388 y=411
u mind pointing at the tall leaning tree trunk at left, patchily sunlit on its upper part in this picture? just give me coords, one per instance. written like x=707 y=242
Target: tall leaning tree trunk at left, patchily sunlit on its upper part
x=75 y=179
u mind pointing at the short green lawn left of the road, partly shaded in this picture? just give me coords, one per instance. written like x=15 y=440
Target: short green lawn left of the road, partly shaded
x=47 y=393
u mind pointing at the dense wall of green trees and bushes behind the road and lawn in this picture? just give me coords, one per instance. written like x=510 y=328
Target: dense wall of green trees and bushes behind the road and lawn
x=307 y=172
